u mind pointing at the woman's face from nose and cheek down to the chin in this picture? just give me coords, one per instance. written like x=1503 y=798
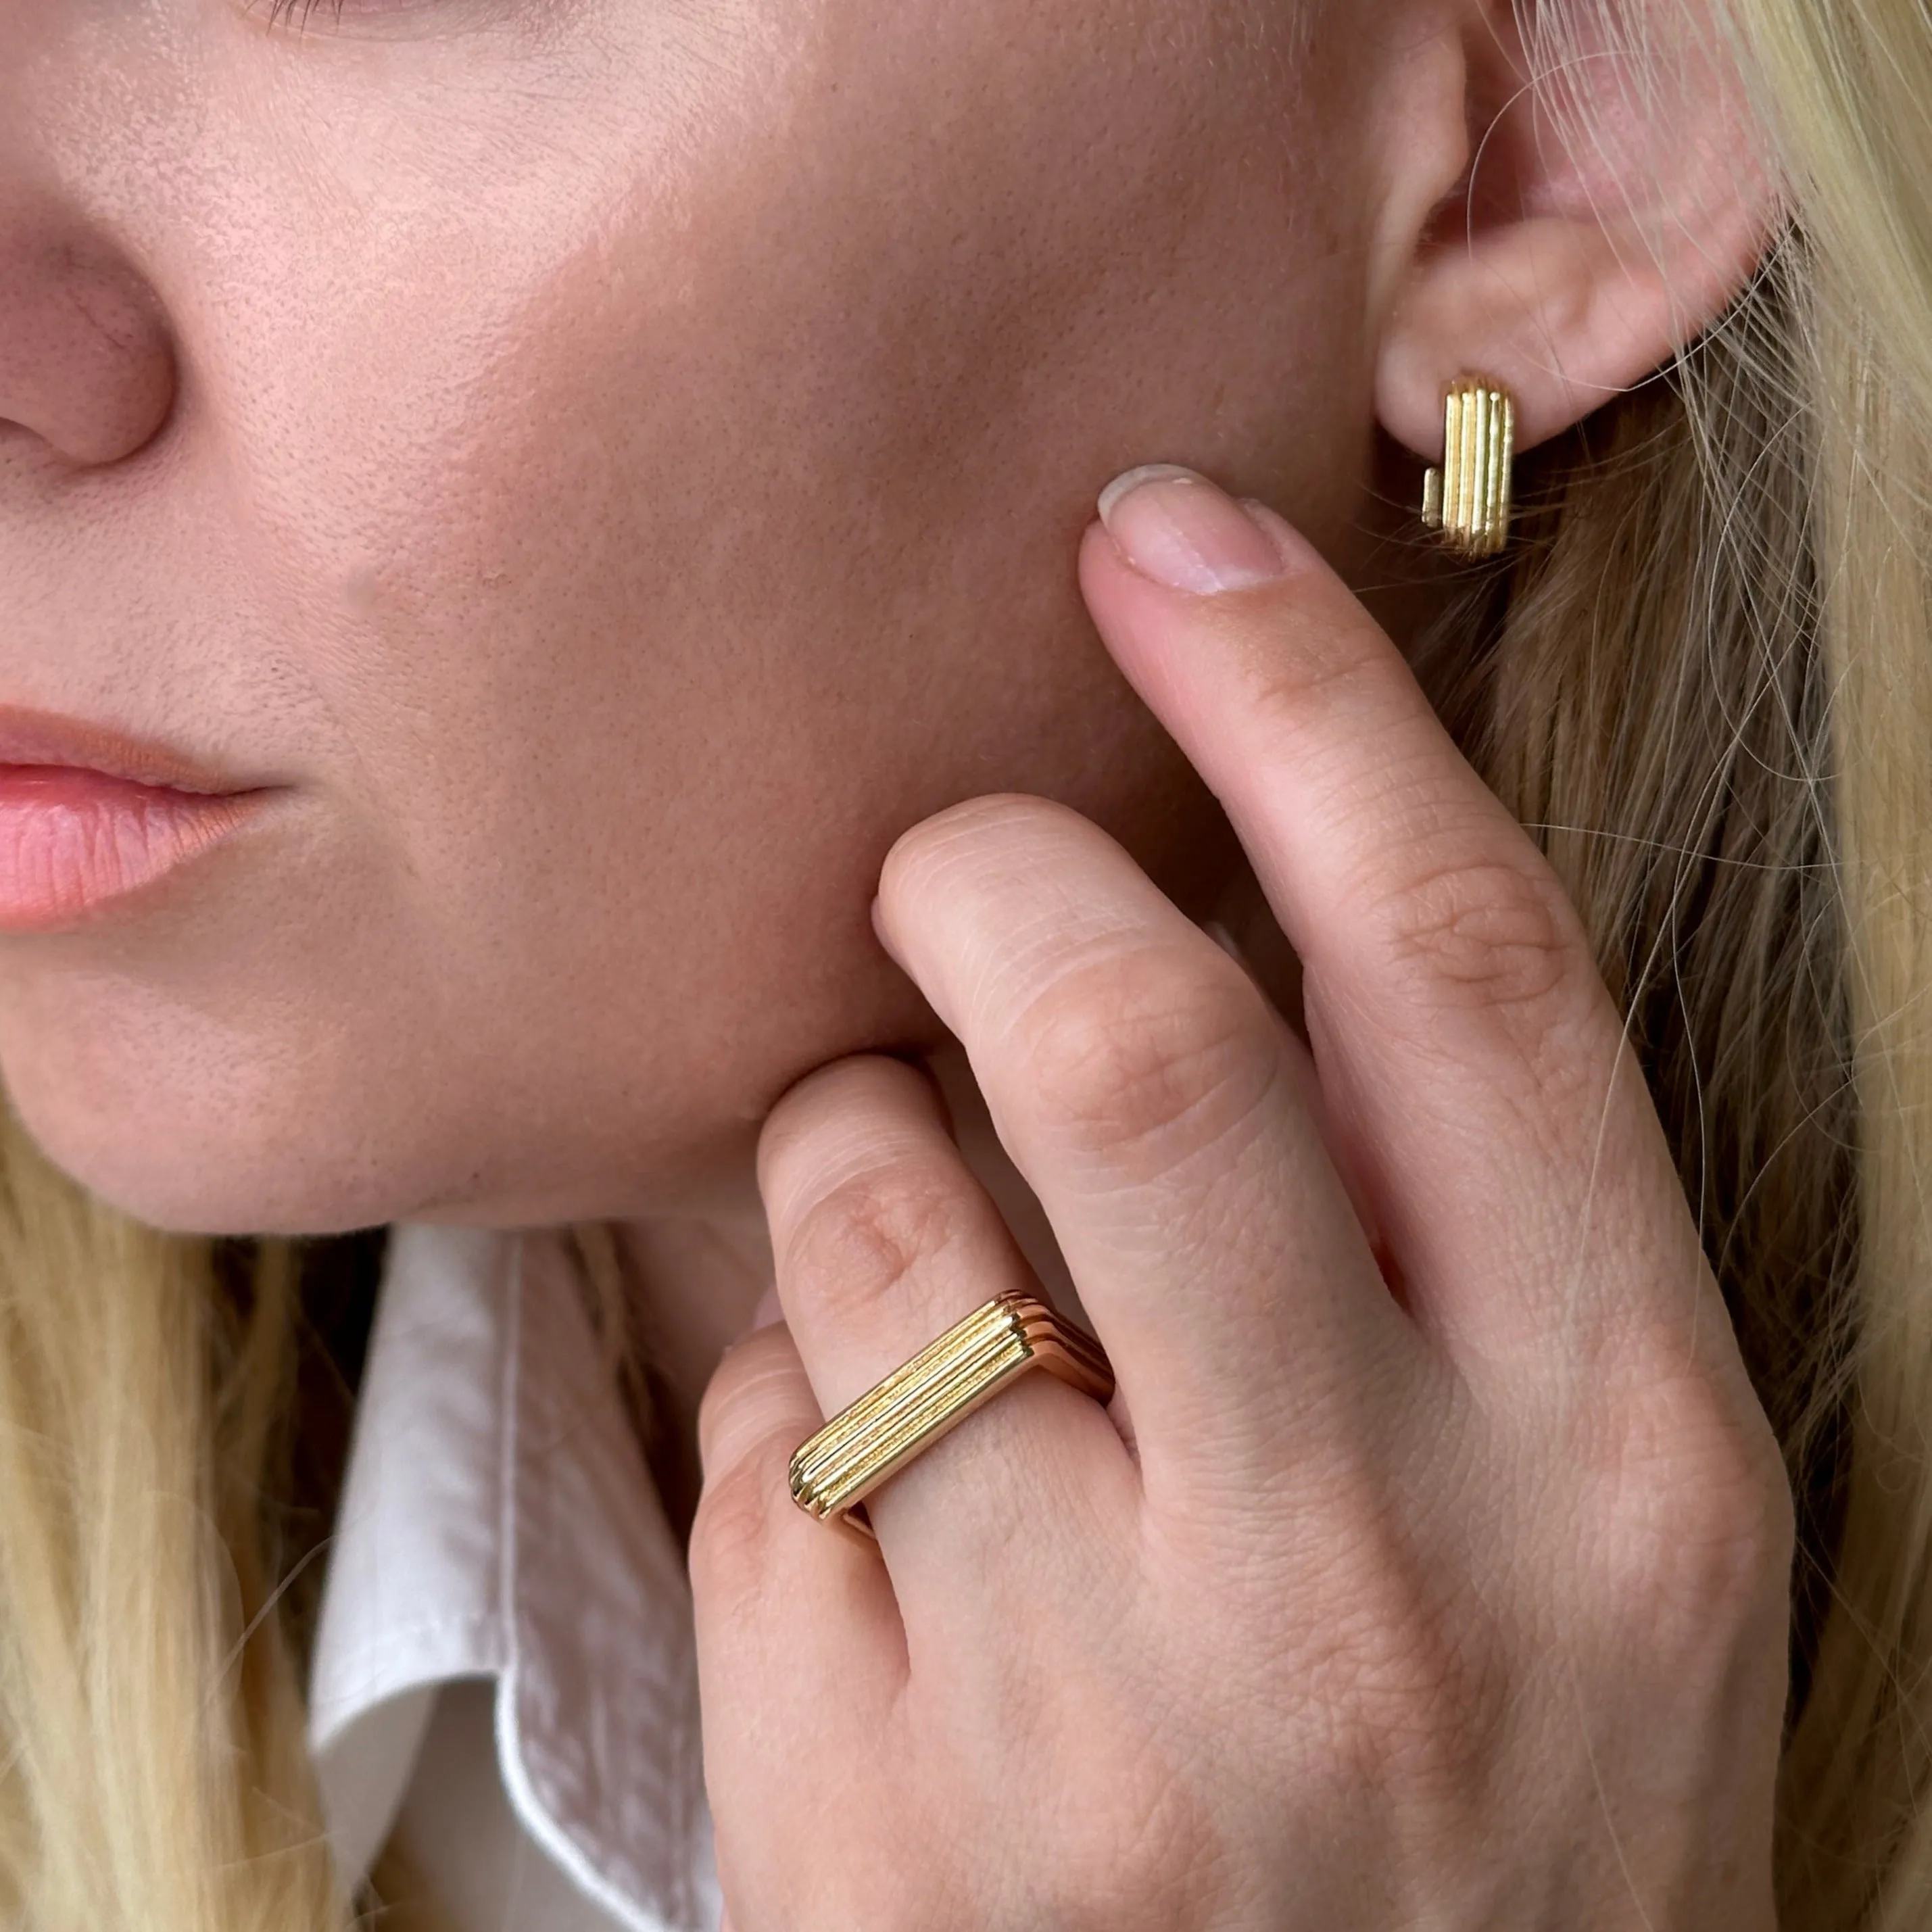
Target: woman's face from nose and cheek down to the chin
x=611 y=467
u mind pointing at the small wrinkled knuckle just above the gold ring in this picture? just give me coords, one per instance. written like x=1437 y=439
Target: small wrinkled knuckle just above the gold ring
x=857 y=1243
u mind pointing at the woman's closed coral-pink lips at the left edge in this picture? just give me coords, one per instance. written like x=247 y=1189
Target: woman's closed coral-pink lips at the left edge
x=90 y=816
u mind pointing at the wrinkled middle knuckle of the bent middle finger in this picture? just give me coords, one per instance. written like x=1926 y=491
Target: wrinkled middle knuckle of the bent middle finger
x=1149 y=1058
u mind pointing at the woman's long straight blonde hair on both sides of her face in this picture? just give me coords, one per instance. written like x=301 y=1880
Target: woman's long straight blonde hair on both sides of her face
x=1705 y=681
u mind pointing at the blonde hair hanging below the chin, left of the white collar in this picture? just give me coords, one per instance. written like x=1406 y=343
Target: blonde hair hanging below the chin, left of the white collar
x=154 y=1773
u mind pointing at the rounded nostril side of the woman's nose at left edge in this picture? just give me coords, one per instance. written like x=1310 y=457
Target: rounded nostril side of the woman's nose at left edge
x=88 y=366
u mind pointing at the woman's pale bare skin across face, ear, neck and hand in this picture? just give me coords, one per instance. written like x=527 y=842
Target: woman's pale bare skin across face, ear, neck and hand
x=619 y=476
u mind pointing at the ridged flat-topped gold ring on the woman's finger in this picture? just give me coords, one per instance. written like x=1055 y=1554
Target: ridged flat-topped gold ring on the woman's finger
x=946 y=1382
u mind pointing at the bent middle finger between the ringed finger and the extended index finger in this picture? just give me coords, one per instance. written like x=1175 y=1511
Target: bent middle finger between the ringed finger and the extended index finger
x=1156 y=1106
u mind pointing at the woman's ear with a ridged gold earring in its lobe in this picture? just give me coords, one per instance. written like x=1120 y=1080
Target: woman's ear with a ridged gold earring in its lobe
x=1562 y=223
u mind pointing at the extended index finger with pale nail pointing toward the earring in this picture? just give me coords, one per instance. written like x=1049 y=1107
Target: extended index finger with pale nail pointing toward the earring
x=1460 y=1023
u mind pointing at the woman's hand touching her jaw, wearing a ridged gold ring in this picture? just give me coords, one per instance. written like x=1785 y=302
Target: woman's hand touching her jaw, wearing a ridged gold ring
x=1448 y=1595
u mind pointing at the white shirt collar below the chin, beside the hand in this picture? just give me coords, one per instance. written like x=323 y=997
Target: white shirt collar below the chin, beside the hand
x=505 y=1672
